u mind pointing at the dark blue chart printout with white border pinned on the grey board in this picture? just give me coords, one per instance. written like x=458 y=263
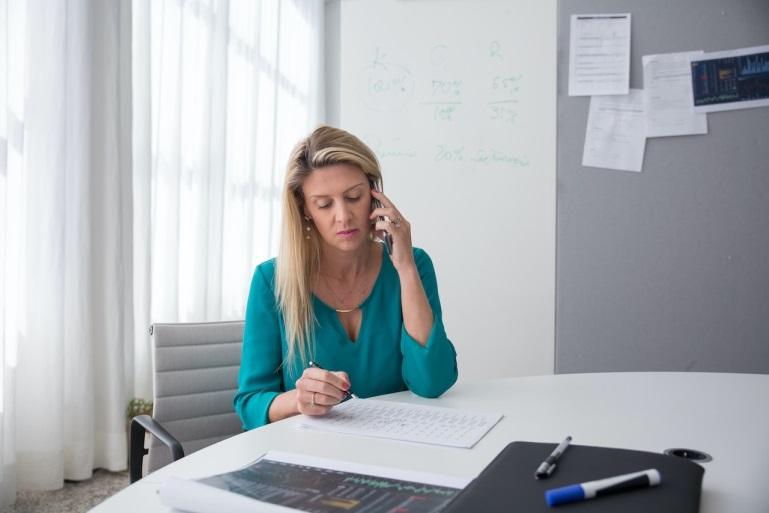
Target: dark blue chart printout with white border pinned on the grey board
x=732 y=79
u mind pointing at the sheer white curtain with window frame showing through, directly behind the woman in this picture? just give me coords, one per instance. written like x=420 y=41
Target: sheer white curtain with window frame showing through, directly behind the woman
x=222 y=92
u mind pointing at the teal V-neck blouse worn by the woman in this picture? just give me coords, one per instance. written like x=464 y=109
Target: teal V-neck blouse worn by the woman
x=382 y=360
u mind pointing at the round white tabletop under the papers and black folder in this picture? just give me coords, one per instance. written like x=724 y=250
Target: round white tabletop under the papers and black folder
x=725 y=415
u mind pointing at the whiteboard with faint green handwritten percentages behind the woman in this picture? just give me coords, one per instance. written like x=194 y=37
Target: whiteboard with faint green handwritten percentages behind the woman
x=458 y=99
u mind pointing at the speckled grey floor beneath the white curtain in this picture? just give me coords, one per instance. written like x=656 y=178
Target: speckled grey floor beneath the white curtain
x=75 y=497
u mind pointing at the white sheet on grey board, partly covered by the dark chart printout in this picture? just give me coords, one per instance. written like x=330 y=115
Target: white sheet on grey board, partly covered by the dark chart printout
x=668 y=96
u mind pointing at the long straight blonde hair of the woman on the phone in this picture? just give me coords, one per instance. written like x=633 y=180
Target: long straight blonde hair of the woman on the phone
x=299 y=257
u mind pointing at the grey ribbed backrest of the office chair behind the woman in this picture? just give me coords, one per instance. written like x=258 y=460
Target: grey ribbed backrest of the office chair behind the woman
x=195 y=378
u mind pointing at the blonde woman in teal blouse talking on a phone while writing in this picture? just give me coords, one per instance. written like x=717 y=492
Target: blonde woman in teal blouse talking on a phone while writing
x=336 y=297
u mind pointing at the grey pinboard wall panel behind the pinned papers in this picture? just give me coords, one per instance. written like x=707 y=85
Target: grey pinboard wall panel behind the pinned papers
x=667 y=269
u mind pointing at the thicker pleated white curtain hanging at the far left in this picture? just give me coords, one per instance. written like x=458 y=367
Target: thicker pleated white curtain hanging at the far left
x=66 y=327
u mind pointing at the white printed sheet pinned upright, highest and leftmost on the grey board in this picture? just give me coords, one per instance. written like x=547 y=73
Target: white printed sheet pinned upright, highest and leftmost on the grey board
x=599 y=54
